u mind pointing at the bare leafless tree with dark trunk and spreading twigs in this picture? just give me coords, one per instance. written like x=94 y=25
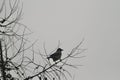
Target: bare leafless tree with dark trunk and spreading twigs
x=18 y=59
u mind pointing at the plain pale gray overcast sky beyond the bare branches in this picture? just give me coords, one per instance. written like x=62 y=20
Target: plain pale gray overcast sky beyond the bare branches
x=98 y=21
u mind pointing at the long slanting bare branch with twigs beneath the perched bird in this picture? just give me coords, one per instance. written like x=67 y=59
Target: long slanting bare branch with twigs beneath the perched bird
x=57 y=69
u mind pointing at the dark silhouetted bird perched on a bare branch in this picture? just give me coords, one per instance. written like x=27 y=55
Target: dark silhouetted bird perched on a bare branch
x=57 y=55
